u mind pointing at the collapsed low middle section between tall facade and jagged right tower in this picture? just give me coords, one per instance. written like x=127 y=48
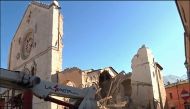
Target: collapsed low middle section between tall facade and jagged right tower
x=113 y=89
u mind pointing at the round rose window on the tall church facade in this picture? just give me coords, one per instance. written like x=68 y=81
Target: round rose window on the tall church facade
x=27 y=44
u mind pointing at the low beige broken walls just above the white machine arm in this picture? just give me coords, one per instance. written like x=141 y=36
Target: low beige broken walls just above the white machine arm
x=82 y=78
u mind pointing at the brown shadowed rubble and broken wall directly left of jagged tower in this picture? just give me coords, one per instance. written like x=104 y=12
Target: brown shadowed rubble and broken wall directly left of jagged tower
x=115 y=92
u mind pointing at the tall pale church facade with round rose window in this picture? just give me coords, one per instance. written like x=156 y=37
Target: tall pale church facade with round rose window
x=37 y=47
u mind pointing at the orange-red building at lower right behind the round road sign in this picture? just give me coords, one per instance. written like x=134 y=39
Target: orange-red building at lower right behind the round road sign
x=178 y=95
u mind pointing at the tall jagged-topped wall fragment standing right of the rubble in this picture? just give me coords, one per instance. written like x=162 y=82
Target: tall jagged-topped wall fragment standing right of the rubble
x=147 y=81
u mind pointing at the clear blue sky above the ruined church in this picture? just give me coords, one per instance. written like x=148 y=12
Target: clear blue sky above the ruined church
x=109 y=33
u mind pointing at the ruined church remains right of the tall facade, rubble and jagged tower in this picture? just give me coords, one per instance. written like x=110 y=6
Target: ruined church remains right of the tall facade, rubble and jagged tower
x=143 y=88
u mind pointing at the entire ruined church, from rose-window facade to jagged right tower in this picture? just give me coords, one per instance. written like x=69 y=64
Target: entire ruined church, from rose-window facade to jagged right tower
x=37 y=50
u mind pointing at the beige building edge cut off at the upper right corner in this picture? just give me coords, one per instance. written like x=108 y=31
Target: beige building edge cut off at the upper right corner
x=183 y=7
